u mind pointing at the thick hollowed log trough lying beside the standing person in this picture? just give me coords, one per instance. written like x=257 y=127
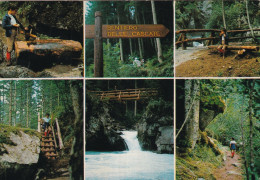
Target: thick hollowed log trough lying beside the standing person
x=49 y=48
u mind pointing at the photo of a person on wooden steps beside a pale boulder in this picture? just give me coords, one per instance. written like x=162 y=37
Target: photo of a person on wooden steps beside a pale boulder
x=41 y=129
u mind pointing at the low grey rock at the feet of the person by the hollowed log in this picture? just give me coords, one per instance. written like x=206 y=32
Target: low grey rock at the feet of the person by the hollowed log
x=16 y=72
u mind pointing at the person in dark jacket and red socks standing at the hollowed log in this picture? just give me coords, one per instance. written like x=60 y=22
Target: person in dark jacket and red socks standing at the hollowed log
x=11 y=26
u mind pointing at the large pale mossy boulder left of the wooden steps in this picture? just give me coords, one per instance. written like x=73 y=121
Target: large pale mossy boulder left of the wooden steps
x=19 y=158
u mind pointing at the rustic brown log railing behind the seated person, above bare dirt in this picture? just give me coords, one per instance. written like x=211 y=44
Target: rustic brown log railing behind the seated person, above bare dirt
x=182 y=39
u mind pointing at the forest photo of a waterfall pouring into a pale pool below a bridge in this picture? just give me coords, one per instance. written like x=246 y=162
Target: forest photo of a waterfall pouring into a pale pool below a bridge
x=129 y=129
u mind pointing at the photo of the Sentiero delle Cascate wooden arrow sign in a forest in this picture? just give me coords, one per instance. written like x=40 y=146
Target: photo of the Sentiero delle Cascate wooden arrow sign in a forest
x=129 y=39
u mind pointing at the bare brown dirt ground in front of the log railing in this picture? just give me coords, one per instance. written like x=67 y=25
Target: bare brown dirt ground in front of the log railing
x=204 y=63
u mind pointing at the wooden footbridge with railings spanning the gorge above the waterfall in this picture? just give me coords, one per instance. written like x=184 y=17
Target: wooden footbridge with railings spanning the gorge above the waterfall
x=126 y=95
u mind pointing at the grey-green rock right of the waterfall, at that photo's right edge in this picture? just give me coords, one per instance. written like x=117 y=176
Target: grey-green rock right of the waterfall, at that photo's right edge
x=165 y=140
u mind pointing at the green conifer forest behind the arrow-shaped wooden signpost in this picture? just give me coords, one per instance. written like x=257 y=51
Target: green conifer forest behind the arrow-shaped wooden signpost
x=120 y=53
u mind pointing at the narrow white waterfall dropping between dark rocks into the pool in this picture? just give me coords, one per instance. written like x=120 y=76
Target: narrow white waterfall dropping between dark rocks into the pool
x=131 y=140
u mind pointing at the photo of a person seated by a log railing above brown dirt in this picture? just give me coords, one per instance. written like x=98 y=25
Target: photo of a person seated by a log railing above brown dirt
x=217 y=38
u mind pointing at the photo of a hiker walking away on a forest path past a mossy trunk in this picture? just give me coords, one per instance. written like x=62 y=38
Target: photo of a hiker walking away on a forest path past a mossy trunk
x=217 y=129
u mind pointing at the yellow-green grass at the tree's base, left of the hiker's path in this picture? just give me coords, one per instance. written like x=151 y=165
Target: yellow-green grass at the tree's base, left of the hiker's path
x=200 y=163
